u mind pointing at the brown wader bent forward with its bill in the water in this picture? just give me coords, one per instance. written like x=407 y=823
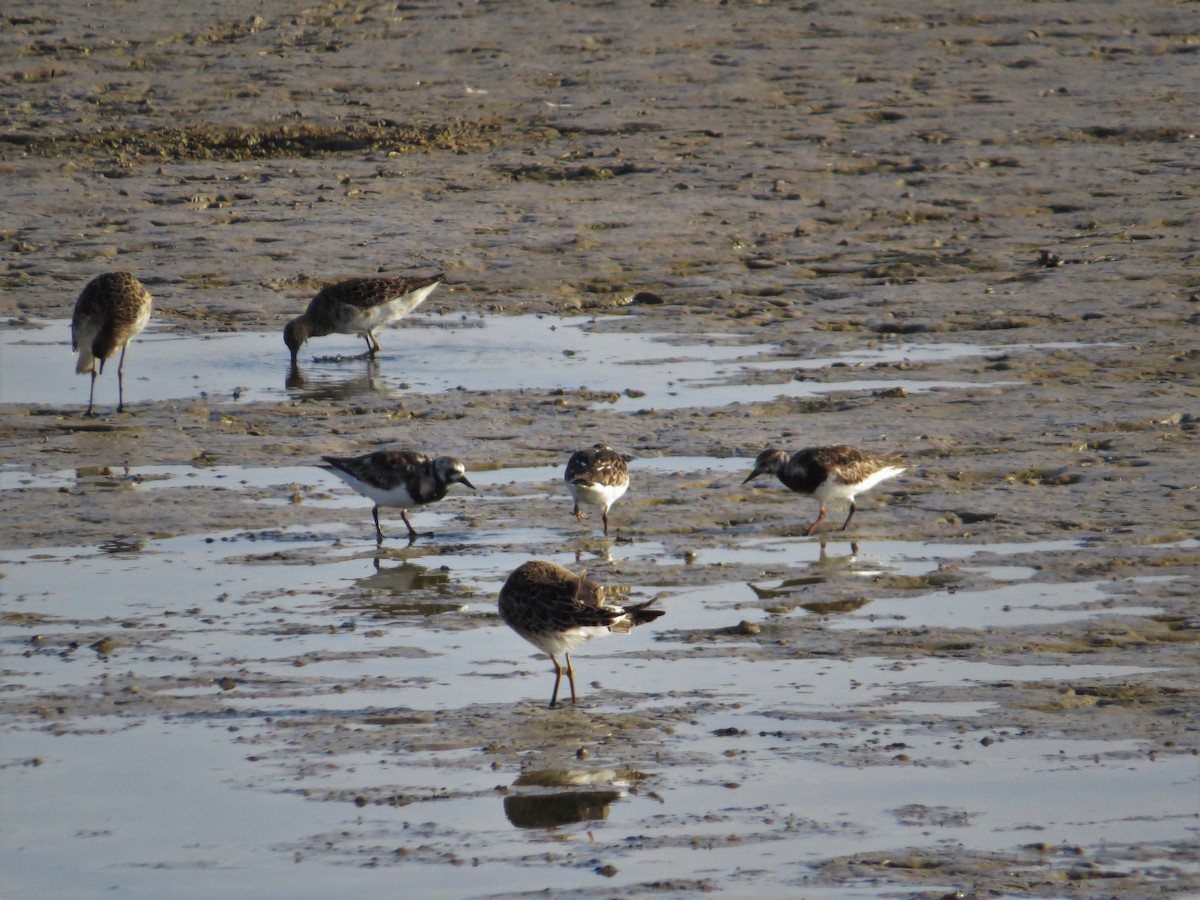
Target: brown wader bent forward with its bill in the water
x=358 y=307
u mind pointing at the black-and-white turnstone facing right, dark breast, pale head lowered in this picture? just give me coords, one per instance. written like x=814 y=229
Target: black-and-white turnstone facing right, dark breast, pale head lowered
x=399 y=478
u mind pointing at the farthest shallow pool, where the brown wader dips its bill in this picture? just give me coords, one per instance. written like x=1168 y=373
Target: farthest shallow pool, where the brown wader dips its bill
x=640 y=370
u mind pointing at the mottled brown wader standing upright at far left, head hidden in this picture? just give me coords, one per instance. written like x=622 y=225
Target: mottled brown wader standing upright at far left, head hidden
x=112 y=310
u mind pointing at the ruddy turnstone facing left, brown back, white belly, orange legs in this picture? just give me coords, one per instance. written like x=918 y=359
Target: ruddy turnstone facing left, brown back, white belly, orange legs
x=829 y=473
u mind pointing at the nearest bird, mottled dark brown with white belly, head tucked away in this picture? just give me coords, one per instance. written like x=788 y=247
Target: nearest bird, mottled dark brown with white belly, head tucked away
x=556 y=611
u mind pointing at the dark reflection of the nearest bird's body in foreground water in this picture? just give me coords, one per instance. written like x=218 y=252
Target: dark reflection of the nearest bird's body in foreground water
x=537 y=800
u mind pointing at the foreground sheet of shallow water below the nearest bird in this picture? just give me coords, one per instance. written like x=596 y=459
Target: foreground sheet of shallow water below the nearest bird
x=203 y=769
